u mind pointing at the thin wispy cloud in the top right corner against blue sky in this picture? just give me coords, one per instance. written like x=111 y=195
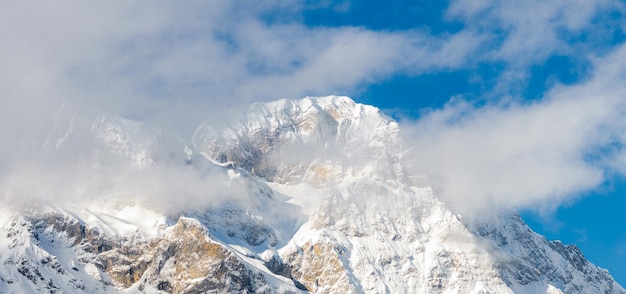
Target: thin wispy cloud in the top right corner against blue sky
x=523 y=34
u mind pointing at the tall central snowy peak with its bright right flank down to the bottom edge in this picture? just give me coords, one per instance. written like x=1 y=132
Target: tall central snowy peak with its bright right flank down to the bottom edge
x=375 y=216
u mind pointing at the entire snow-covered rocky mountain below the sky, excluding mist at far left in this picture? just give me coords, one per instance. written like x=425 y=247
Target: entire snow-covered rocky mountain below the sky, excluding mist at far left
x=292 y=196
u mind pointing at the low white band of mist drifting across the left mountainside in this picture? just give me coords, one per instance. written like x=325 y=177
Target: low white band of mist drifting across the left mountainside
x=164 y=187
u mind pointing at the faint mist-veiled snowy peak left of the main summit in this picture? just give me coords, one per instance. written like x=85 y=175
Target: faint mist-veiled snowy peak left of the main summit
x=80 y=133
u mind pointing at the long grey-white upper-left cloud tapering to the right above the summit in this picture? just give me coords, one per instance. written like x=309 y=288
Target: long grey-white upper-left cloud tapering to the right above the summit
x=174 y=63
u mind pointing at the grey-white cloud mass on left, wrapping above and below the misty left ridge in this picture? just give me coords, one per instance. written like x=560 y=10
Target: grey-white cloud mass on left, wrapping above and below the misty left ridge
x=171 y=65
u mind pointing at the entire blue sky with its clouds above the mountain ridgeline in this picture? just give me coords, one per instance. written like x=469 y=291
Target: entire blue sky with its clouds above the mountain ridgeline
x=511 y=104
